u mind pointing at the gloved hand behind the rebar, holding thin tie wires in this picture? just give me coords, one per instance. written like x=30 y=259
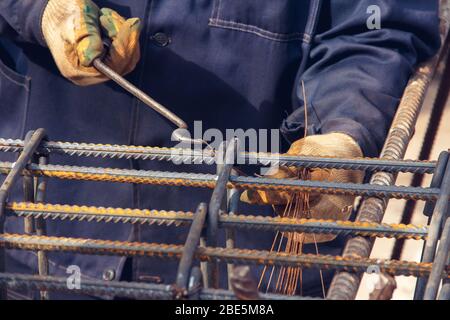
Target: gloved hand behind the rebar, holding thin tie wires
x=322 y=206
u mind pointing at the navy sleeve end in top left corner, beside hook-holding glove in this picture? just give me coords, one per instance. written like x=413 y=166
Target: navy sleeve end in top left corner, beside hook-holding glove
x=21 y=20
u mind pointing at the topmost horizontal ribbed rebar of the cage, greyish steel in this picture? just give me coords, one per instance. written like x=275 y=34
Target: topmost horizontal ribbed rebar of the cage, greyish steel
x=207 y=157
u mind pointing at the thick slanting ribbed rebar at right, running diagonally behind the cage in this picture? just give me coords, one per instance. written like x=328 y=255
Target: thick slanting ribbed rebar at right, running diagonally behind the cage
x=345 y=285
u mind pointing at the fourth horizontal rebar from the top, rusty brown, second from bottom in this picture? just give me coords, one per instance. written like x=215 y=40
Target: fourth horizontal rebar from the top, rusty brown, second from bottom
x=237 y=256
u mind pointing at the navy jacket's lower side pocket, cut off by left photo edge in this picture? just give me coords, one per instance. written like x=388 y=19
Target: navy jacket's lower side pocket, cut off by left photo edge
x=14 y=94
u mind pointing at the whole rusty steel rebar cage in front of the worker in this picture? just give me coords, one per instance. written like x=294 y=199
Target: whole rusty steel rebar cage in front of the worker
x=202 y=245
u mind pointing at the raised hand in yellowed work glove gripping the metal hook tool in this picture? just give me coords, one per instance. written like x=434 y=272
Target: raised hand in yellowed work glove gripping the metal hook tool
x=73 y=31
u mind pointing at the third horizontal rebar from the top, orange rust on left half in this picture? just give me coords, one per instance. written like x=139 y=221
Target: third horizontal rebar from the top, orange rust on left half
x=237 y=221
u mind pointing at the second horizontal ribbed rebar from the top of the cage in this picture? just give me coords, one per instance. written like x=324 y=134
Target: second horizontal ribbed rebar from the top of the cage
x=209 y=181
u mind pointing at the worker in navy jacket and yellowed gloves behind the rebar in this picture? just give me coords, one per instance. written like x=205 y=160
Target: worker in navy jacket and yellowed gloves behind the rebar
x=230 y=64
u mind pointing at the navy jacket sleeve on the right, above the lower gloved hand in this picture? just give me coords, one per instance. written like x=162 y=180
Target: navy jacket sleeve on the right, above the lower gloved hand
x=355 y=76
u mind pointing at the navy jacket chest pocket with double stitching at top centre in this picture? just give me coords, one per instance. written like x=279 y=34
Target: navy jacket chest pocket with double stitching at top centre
x=280 y=20
